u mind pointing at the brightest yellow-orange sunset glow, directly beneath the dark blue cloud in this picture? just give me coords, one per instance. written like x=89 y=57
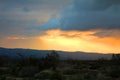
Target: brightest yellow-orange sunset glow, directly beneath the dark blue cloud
x=79 y=41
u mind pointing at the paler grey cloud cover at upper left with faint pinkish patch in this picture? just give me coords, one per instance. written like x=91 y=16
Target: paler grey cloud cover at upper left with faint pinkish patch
x=16 y=15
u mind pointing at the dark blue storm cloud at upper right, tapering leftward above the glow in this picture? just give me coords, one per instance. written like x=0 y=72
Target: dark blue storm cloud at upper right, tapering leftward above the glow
x=86 y=15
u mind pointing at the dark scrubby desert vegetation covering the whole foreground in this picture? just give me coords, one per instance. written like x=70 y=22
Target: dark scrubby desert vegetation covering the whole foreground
x=52 y=68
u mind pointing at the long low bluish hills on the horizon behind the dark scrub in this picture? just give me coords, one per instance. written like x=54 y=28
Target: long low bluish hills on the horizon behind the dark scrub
x=14 y=53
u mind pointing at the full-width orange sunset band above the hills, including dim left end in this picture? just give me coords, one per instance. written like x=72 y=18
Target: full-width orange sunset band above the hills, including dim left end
x=85 y=41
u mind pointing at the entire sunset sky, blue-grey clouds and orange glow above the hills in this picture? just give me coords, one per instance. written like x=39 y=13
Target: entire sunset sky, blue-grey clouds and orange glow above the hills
x=67 y=25
